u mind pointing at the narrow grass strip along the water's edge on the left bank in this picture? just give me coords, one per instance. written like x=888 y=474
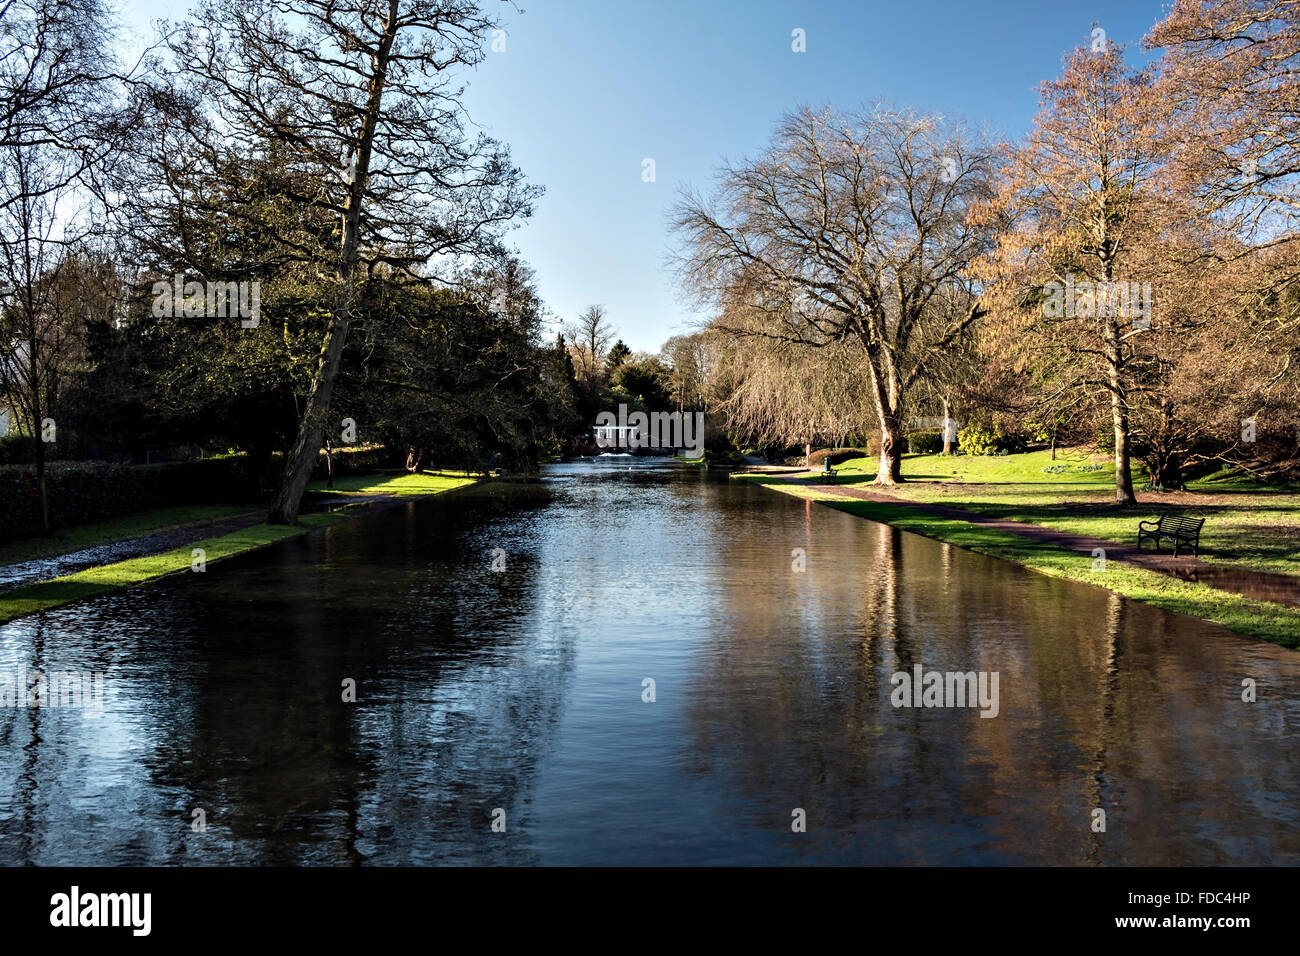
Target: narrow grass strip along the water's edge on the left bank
x=103 y=579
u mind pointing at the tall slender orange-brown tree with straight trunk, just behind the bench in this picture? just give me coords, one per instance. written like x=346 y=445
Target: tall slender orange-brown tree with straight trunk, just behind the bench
x=1073 y=205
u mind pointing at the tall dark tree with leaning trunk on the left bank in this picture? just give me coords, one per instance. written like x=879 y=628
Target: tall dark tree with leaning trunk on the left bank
x=366 y=97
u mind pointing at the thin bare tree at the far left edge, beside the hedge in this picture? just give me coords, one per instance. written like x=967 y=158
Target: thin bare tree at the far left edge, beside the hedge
x=59 y=126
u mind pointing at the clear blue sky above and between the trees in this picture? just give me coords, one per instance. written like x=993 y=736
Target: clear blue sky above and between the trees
x=586 y=90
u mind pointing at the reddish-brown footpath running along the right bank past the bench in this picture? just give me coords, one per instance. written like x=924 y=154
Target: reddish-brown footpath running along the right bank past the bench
x=1258 y=585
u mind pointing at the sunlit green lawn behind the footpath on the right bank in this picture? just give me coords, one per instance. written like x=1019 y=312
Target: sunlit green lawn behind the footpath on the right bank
x=1247 y=525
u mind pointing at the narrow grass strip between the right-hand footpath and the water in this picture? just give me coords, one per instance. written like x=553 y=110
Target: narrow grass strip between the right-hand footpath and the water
x=1249 y=617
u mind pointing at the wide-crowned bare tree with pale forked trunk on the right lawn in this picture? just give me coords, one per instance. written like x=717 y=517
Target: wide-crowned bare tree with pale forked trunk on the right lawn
x=847 y=228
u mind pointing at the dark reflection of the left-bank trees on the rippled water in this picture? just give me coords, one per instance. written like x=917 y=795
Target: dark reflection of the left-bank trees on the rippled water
x=453 y=711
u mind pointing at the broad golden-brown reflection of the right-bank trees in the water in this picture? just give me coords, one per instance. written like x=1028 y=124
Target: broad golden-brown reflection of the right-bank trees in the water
x=1103 y=704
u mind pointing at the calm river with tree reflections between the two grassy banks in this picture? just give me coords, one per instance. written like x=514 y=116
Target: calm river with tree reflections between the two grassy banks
x=518 y=697
